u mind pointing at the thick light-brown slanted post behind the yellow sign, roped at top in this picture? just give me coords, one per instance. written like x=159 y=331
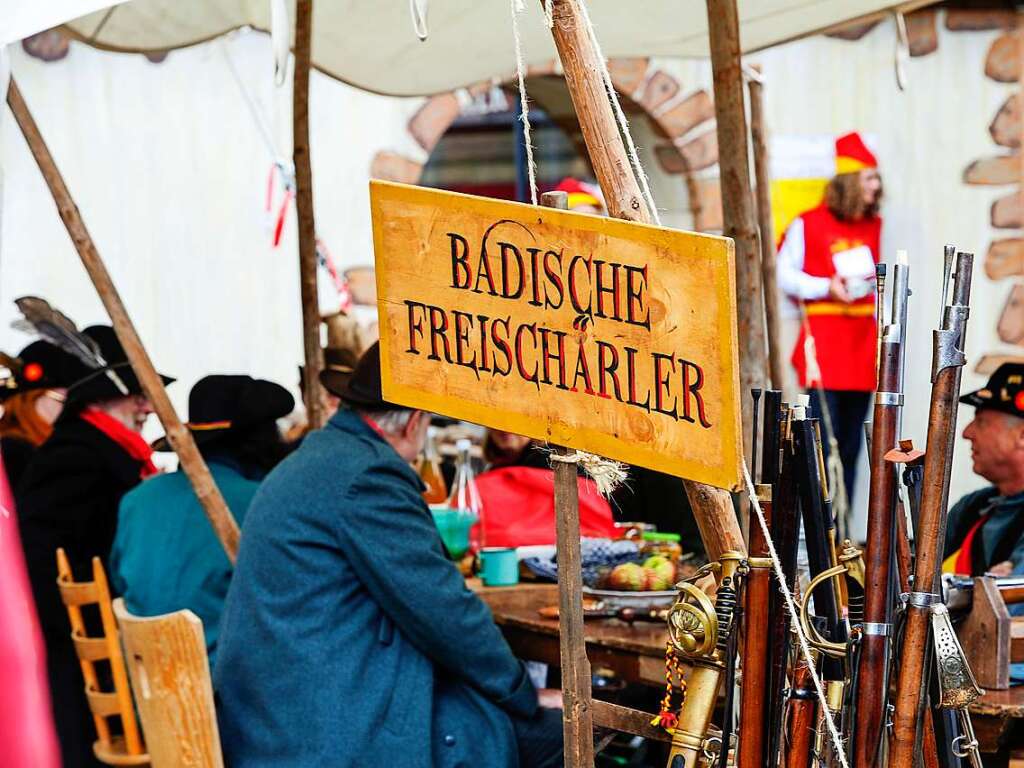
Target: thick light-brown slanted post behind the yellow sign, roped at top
x=712 y=507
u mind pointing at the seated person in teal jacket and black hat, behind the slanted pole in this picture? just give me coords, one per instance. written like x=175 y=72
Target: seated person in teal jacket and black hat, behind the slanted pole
x=166 y=557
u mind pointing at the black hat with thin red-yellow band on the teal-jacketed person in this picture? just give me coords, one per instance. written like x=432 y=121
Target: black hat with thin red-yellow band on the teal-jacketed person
x=222 y=406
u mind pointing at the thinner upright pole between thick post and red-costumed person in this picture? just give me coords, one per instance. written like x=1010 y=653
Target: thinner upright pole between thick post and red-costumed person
x=759 y=141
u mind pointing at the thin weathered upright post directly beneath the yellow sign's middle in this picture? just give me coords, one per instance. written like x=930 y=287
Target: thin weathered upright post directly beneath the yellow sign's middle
x=578 y=720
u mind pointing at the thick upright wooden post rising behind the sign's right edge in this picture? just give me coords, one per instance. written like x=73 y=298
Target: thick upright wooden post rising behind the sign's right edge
x=738 y=201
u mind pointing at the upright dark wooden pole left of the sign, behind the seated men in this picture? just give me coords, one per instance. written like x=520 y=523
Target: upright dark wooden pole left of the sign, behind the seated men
x=305 y=211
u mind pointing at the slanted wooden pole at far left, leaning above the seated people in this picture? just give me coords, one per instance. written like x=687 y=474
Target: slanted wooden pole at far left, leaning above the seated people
x=180 y=438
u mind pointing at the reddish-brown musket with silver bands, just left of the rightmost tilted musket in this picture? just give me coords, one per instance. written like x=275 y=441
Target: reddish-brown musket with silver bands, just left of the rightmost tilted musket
x=873 y=686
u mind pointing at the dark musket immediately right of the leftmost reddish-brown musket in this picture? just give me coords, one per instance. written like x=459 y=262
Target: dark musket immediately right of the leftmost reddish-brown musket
x=786 y=537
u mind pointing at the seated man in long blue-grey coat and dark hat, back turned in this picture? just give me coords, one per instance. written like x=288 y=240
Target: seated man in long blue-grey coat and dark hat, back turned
x=349 y=637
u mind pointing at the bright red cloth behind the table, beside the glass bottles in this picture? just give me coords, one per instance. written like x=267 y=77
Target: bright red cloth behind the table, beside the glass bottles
x=520 y=507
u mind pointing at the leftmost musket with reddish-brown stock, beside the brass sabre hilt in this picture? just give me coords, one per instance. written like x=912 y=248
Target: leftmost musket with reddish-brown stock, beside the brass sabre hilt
x=757 y=593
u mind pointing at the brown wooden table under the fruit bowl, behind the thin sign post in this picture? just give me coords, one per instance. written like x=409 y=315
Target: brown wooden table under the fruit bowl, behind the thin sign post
x=635 y=653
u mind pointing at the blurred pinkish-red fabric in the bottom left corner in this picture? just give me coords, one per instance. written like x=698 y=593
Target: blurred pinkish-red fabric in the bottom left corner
x=27 y=736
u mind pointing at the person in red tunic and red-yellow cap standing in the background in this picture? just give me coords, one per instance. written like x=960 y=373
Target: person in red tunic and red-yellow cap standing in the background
x=827 y=265
